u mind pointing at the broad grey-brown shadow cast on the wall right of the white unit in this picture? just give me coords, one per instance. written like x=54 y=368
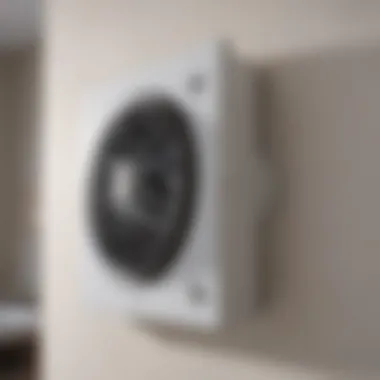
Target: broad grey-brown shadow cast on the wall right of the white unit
x=320 y=121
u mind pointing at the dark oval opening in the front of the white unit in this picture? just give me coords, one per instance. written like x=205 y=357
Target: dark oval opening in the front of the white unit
x=142 y=187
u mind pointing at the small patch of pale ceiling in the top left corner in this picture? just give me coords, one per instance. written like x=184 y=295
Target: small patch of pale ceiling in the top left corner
x=19 y=22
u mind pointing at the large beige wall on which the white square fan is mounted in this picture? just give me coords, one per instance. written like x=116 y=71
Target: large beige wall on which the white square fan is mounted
x=320 y=62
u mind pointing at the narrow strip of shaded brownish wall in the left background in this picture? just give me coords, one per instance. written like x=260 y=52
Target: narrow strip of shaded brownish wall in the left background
x=18 y=117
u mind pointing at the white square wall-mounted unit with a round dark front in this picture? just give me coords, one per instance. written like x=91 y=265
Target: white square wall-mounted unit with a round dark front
x=170 y=200
